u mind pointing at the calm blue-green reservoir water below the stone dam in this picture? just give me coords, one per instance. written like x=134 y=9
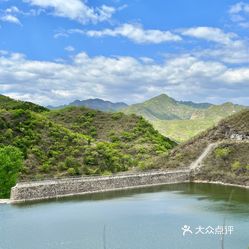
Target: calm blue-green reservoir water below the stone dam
x=150 y=218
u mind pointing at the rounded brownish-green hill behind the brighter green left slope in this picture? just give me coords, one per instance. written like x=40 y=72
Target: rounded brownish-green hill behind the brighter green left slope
x=129 y=133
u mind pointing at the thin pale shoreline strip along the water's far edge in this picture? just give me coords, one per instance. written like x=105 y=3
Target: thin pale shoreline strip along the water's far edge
x=9 y=201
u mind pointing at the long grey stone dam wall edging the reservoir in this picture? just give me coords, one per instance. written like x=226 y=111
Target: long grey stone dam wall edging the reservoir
x=50 y=189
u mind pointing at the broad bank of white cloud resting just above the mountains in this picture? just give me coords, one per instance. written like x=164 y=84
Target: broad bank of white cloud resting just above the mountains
x=119 y=78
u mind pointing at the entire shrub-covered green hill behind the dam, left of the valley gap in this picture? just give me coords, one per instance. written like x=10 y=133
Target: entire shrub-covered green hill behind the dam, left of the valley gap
x=78 y=140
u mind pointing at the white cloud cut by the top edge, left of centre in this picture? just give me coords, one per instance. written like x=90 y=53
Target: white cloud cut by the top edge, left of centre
x=75 y=10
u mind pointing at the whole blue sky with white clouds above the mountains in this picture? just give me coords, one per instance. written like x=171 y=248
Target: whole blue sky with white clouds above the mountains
x=53 y=52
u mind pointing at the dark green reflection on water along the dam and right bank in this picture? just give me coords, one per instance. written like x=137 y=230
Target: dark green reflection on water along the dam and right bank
x=223 y=198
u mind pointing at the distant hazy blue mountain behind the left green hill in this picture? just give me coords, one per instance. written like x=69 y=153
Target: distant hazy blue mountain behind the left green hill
x=97 y=104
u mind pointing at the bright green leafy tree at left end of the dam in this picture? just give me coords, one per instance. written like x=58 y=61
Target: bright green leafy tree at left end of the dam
x=11 y=163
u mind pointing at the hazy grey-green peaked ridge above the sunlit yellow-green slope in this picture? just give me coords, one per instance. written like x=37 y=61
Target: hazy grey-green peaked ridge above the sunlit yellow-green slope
x=163 y=107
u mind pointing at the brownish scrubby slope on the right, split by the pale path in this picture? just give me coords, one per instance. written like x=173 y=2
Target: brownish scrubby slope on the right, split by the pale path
x=227 y=162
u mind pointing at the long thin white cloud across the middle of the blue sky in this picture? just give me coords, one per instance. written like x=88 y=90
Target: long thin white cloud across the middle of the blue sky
x=136 y=33
